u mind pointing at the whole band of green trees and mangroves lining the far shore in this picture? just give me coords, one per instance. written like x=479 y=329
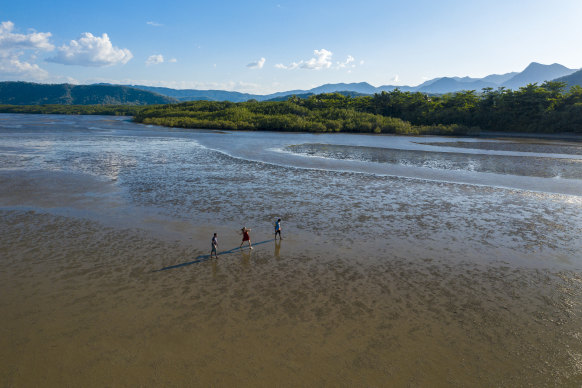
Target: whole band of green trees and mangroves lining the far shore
x=546 y=108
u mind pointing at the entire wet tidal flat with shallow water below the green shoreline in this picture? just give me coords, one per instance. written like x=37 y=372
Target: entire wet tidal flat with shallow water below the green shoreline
x=405 y=261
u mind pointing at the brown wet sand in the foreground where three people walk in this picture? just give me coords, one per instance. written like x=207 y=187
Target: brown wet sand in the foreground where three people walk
x=81 y=306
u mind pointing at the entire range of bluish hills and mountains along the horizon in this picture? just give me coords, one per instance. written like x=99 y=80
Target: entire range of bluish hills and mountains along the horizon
x=25 y=93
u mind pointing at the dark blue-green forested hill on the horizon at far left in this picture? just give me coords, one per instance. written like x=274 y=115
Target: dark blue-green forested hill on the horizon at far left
x=27 y=93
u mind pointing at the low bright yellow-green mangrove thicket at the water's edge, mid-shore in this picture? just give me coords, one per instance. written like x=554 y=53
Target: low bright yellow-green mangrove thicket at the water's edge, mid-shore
x=320 y=113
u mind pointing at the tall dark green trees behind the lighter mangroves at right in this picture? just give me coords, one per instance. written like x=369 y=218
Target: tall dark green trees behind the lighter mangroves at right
x=548 y=108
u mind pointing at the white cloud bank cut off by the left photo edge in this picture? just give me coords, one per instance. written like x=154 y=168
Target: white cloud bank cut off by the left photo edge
x=14 y=46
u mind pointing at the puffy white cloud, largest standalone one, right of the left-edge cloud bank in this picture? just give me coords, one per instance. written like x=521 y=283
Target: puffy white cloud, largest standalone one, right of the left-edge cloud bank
x=91 y=50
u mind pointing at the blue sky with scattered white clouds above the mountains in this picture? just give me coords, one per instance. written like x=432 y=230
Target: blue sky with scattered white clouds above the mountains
x=263 y=47
